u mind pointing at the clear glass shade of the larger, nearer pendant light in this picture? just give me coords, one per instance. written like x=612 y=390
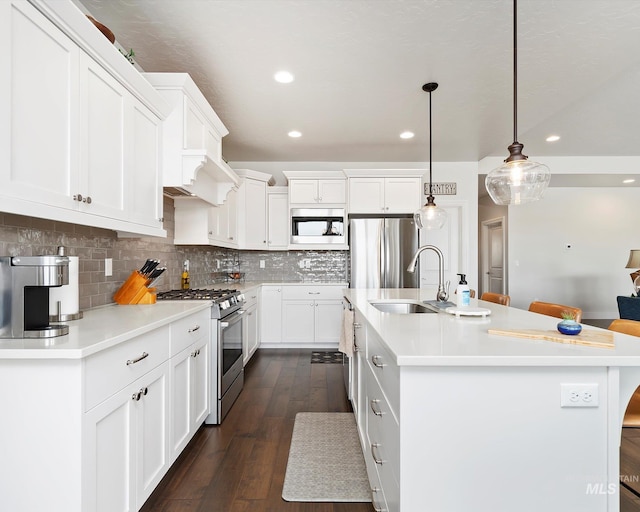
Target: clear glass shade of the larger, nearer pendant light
x=517 y=182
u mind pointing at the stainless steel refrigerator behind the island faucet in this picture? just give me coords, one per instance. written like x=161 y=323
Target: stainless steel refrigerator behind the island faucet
x=381 y=249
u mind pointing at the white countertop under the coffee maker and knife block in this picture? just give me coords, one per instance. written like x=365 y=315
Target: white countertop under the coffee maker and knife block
x=99 y=329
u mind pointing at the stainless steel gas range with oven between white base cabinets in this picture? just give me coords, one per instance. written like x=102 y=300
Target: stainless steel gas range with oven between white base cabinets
x=227 y=376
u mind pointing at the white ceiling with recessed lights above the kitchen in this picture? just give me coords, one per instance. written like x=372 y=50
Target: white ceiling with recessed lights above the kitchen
x=360 y=66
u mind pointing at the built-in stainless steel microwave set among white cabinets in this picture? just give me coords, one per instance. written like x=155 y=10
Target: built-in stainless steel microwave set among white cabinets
x=318 y=226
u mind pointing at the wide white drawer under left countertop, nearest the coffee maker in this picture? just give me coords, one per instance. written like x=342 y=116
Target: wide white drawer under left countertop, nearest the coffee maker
x=111 y=370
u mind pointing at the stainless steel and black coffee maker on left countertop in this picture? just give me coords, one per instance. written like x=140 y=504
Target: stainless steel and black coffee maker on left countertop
x=24 y=288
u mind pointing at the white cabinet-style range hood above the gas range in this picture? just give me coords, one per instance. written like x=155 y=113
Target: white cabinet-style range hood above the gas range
x=192 y=142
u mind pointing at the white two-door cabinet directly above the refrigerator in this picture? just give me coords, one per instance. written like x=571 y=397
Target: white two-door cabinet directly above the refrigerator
x=384 y=194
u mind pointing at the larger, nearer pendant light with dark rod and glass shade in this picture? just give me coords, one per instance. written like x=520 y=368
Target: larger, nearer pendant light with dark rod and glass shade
x=517 y=181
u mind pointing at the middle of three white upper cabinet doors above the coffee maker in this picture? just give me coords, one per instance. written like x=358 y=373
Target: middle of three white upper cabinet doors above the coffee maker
x=104 y=102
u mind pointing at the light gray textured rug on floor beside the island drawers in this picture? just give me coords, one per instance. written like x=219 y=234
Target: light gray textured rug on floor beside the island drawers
x=325 y=460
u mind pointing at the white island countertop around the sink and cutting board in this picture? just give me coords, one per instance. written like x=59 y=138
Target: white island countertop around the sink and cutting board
x=441 y=339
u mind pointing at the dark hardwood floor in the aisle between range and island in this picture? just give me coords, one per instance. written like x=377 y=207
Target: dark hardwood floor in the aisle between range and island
x=240 y=465
